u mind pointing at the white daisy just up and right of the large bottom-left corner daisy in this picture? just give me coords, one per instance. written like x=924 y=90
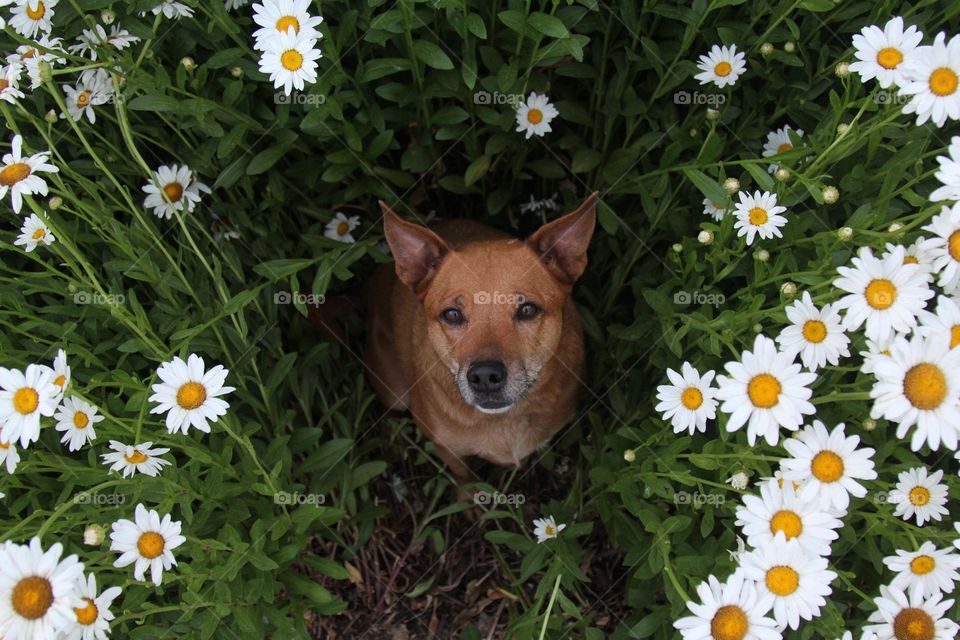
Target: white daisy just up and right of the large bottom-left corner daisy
x=148 y=541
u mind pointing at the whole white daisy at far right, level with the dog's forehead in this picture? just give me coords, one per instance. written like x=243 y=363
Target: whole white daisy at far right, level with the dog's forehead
x=886 y=294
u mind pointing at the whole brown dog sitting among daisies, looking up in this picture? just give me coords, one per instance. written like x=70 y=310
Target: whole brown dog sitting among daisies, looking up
x=476 y=334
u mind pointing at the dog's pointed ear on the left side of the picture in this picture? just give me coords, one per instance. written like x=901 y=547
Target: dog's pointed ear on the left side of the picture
x=416 y=250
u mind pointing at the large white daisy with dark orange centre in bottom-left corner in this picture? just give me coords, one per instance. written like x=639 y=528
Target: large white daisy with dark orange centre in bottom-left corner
x=37 y=590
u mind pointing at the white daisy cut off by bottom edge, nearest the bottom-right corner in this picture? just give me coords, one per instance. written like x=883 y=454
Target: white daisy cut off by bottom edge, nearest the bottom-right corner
x=913 y=618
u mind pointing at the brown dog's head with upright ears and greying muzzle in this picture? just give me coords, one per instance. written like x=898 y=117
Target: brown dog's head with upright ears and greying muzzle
x=494 y=308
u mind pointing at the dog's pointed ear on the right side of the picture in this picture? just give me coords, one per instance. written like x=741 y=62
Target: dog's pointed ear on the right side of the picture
x=562 y=244
